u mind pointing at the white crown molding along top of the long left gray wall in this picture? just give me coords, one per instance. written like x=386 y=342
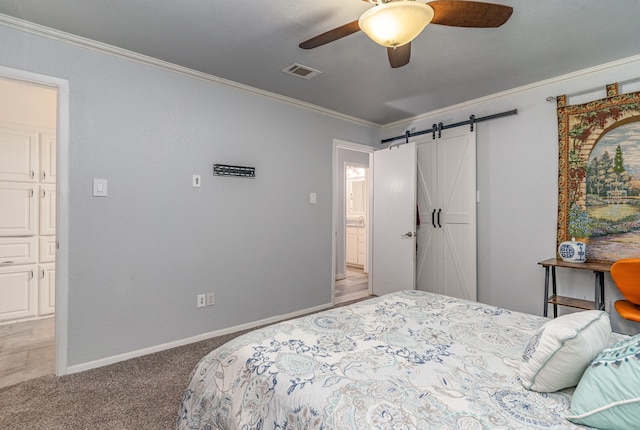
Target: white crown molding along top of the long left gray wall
x=104 y=48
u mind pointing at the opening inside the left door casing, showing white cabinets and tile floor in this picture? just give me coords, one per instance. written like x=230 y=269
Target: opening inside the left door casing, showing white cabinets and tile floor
x=27 y=229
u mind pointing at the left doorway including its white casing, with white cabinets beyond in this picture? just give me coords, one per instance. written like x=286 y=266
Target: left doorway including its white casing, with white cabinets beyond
x=34 y=116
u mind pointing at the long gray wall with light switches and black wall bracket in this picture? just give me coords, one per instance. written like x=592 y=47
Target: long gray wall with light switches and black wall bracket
x=139 y=257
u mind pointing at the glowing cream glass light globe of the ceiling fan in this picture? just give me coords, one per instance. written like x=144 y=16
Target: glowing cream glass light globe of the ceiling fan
x=396 y=23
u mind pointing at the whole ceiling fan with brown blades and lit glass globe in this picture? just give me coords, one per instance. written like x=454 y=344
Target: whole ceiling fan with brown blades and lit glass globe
x=395 y=23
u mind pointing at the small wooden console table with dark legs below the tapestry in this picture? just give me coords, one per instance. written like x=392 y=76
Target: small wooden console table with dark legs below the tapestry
x=598 y=269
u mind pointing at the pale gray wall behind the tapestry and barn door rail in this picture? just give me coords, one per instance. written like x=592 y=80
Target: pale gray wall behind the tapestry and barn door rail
x=517 y=169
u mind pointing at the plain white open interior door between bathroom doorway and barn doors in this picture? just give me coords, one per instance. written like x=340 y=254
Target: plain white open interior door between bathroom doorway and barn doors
x=394 y=222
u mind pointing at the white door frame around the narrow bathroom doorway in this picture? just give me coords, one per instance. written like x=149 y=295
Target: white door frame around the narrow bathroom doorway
x=337 y=172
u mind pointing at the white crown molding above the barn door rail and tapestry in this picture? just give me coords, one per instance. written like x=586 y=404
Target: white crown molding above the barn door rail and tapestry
x=512 y=91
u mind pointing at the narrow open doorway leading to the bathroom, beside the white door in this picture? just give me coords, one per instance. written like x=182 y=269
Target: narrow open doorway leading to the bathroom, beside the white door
x=351 y=224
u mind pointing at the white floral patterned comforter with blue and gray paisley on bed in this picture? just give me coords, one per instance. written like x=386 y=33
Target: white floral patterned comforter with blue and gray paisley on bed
x=408 y=360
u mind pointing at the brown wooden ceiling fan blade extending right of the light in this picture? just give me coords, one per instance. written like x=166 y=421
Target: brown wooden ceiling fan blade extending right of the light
x=458 y=13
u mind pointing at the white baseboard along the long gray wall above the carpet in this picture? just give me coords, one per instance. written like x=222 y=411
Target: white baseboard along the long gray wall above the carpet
x=162 y=347
